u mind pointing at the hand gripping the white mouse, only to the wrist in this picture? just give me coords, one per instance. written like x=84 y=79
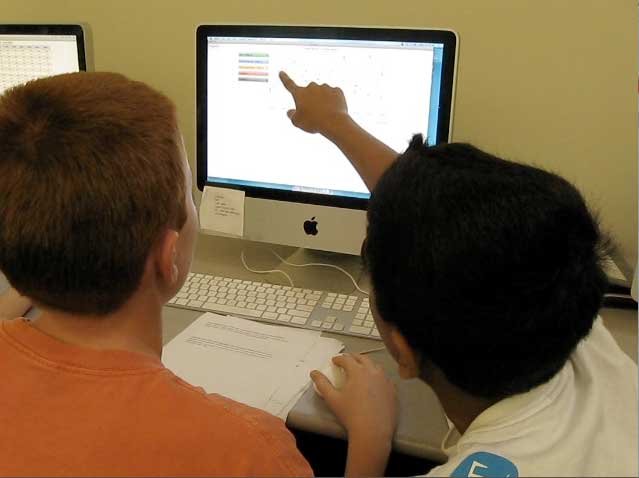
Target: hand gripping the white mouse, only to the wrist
x=366 y=404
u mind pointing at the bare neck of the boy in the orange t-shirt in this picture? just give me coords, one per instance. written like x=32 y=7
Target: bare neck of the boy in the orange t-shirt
x=135 y=327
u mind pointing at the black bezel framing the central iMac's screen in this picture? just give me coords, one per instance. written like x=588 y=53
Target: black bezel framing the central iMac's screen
x=446 y=37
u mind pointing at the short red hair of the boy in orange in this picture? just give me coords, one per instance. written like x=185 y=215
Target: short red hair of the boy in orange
x=90 y=176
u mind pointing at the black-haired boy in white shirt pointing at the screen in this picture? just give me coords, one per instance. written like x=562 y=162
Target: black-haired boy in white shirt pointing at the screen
x=487 y=281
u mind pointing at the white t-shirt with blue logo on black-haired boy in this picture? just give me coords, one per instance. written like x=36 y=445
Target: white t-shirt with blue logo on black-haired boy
x=583 y=422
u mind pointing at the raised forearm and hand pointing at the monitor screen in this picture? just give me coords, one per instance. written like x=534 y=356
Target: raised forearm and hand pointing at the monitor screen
x=322 y=109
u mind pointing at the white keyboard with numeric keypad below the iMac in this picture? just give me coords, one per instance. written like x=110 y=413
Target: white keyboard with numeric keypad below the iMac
x=306 y=308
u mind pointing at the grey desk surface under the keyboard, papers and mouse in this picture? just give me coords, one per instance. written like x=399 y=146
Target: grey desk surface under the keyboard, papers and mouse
x=421 y=424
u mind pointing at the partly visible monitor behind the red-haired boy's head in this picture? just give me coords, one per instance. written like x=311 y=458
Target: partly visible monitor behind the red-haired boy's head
x=28 y=52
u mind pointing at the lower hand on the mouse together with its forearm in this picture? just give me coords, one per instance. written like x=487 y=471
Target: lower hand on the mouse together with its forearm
x=366 y=405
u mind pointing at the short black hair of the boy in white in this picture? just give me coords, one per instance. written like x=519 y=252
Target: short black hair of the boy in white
x=490 y=269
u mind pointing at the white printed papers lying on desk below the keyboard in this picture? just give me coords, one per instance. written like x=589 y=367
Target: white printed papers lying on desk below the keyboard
x=261 y=365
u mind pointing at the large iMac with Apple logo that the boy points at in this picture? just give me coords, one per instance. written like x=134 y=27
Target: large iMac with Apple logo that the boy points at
x=299 y=188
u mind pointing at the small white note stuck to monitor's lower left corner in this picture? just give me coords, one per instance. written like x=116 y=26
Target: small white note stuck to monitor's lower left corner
x=222 y=211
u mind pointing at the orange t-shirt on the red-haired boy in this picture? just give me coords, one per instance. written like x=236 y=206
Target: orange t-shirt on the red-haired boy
x=68 y=410
